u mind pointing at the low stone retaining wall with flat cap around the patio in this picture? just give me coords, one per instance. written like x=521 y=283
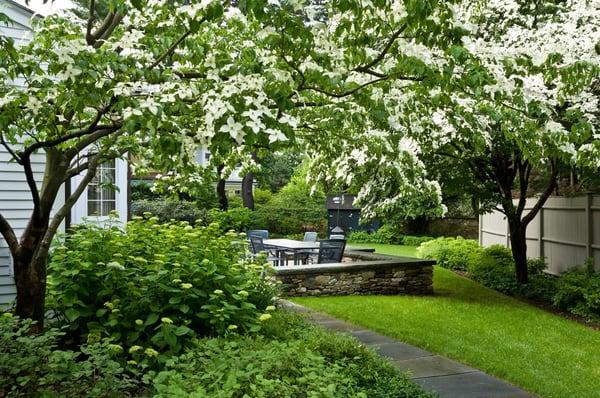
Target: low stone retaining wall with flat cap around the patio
x=371 y=274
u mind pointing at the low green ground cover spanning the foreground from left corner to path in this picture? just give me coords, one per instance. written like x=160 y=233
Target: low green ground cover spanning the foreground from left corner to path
x=288 y=358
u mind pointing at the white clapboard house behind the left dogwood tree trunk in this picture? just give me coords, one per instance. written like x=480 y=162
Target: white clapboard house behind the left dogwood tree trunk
x=15 y=199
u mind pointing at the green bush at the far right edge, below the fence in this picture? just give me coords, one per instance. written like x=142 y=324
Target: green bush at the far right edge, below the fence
x=578 y=291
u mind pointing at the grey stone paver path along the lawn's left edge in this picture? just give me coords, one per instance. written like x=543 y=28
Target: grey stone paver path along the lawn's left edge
x=450 y=379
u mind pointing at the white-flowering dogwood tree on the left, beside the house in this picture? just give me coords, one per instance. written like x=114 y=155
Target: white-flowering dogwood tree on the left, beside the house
x=157 y=79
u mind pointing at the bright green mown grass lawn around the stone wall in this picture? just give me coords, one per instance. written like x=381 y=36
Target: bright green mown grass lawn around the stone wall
x=531 y=348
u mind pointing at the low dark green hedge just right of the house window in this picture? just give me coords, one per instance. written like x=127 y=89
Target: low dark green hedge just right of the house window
x=167 y=210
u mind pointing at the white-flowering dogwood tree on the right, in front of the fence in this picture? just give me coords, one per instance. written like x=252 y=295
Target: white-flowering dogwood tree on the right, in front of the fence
x=521 y=98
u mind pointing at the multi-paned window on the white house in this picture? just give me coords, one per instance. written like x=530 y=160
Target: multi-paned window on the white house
x=101 y=193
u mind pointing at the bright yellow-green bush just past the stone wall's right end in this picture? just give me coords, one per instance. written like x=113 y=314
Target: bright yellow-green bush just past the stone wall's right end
x=452 y=253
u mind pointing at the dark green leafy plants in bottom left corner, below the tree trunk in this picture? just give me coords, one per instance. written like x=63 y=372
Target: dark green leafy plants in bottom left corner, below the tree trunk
x=31 y=365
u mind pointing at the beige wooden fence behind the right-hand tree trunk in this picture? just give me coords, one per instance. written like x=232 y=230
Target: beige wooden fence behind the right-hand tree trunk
x=566 y=231
